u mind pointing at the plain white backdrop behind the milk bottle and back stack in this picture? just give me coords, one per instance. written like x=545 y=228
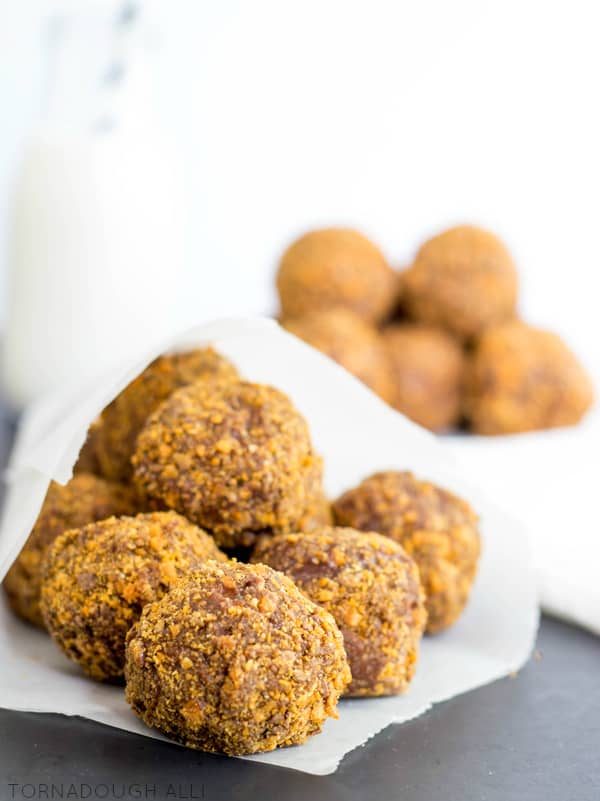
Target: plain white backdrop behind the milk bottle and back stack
x=396 y=117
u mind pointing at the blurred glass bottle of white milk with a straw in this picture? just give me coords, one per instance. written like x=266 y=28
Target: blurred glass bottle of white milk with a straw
x=96 y=238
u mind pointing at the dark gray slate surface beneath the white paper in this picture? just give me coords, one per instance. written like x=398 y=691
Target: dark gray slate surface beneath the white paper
x=535 y=736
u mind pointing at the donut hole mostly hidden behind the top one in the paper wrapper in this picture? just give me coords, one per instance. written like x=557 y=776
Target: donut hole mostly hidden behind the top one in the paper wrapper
x=124 y=417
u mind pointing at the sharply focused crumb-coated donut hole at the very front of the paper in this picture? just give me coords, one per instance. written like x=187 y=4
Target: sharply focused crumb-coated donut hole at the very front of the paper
x=235 y=659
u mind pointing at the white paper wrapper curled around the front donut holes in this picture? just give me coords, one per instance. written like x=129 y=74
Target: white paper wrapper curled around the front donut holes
x=357 y=434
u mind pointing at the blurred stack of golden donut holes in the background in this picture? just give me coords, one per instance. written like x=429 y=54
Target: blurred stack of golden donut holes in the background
x=441 y=341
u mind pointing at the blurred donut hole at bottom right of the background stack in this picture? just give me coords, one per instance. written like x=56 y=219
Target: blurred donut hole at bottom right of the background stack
x=521 y=378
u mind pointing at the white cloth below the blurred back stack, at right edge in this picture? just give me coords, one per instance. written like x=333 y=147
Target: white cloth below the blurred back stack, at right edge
x=549 y=481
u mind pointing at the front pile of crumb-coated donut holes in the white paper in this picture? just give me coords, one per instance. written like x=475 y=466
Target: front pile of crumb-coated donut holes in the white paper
x=195 y=558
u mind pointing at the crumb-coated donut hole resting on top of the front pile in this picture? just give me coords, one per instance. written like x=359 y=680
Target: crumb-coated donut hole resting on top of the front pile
x=236 y=458
